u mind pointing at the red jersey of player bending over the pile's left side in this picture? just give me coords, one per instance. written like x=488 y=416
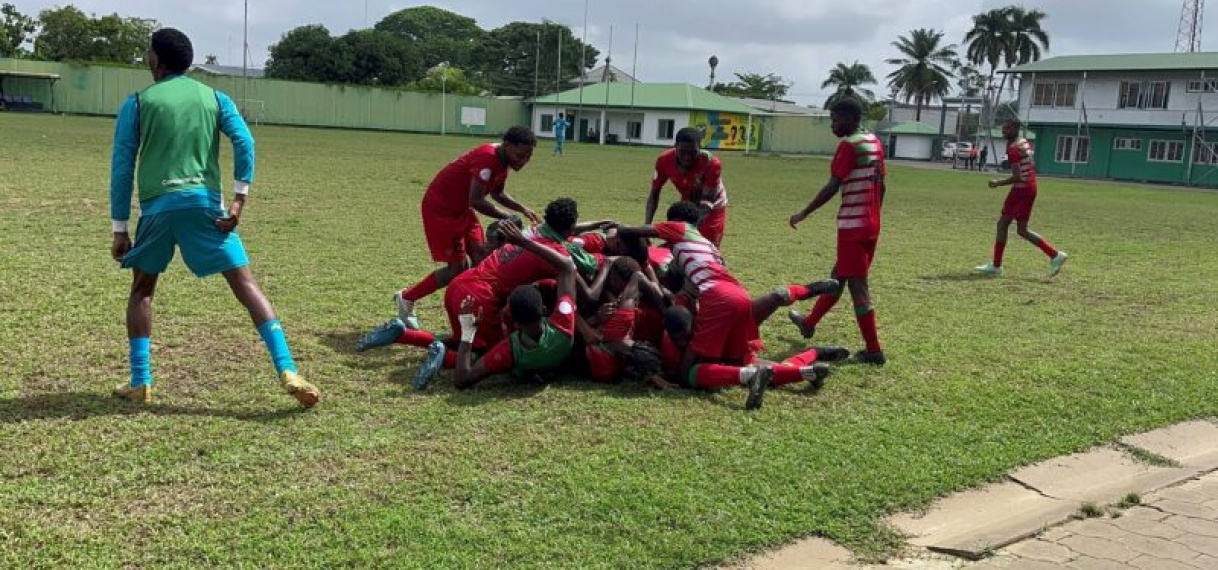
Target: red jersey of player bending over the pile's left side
x=449 y=193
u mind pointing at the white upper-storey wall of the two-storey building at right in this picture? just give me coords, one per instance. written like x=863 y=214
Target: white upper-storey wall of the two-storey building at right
x=1102 y=93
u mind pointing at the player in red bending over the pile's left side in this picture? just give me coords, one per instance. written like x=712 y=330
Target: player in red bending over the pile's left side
x=449 y=211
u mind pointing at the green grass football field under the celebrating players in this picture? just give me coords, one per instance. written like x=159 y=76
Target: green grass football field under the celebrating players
x=224 y=471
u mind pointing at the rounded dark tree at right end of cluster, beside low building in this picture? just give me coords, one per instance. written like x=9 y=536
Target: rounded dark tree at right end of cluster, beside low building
x=507 y=58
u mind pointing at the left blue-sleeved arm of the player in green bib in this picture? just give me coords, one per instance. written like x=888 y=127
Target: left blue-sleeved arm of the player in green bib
x=122 y=176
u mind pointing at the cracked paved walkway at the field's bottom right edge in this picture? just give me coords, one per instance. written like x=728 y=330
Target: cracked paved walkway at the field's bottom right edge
x=1072 y=512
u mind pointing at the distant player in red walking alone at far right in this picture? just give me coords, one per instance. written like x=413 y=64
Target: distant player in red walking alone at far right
x=1019 y=204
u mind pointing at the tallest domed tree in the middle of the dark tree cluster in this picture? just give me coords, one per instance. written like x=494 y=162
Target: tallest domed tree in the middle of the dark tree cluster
x=439 y=36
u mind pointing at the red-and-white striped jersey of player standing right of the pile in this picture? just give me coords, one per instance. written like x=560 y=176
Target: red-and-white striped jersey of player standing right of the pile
x=859 y=164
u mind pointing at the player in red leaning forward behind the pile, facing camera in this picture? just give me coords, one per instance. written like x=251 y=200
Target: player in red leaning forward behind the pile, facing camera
x=697 y=176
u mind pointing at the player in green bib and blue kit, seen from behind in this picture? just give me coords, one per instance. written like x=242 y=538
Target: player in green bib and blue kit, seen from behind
x=167 y=144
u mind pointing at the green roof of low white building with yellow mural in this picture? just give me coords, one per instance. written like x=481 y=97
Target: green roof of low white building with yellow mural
x=649 y=96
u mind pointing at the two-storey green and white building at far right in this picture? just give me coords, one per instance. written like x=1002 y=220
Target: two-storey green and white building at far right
x=1142 y=118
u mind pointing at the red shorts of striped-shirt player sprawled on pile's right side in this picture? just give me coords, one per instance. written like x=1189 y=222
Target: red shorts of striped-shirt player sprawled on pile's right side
x=724 y=328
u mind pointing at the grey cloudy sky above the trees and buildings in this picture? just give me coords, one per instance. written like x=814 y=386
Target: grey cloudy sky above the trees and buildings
x=797 y=40
